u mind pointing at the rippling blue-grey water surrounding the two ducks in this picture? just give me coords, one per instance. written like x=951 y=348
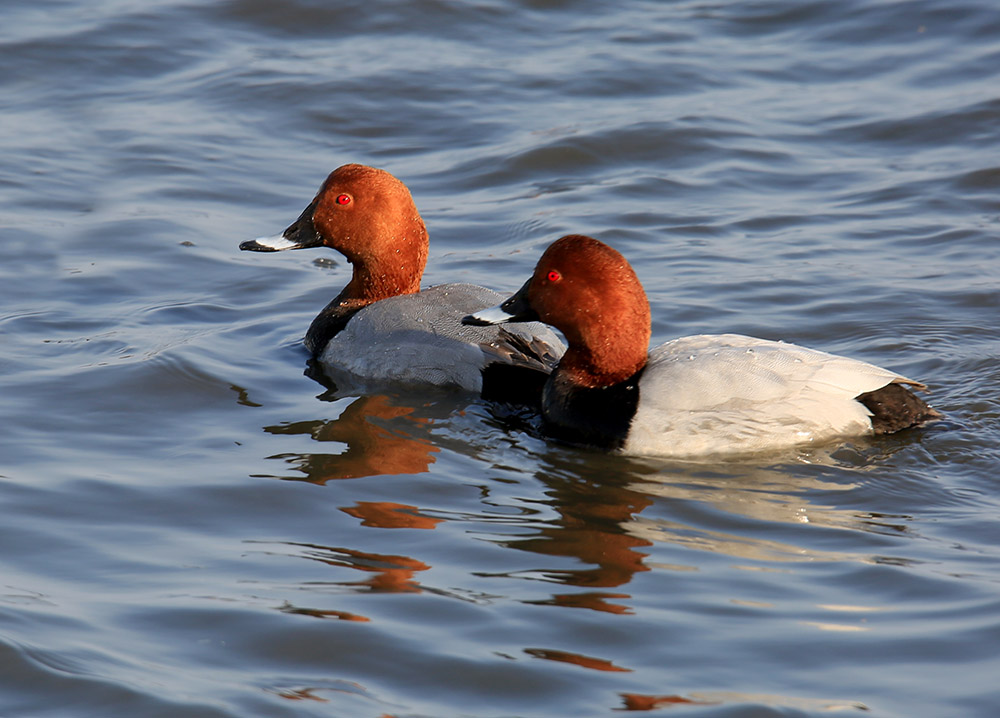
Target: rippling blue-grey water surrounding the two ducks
x=192 y=527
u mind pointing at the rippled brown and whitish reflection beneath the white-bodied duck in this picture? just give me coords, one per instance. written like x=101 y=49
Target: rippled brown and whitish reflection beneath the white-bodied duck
x=608 y=510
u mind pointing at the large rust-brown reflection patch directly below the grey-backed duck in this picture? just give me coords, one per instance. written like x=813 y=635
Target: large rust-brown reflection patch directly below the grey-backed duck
x=381 y=438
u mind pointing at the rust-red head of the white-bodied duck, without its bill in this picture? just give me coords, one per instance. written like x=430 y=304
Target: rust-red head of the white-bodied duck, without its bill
x=590 y=292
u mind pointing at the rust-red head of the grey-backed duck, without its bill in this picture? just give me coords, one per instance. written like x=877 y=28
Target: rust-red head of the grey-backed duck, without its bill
x=369 y=216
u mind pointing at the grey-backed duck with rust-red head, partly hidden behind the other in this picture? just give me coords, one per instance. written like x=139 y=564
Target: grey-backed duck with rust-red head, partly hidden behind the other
x=382 y=328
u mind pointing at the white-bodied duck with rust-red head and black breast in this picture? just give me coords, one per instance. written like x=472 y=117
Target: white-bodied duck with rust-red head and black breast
x=693 y=396
